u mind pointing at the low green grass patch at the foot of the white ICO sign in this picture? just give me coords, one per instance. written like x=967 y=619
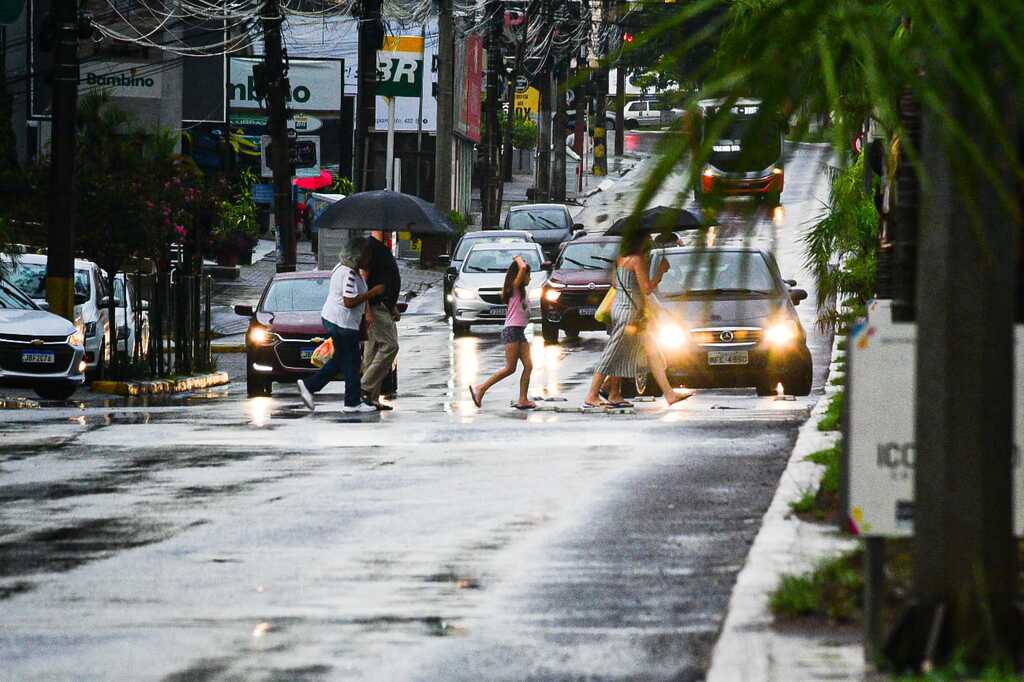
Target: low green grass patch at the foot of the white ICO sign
x=833 y=590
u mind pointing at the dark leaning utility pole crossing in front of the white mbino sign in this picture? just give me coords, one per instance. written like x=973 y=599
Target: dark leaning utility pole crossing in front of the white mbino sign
x=278 y=90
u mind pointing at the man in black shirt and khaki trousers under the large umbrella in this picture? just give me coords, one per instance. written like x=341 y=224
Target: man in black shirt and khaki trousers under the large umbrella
x=381 y=347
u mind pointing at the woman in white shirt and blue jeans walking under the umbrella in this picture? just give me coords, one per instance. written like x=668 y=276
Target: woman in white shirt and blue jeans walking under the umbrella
x=343 y=315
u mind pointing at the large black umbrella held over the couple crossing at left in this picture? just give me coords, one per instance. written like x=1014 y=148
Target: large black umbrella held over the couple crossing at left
x=383 y=209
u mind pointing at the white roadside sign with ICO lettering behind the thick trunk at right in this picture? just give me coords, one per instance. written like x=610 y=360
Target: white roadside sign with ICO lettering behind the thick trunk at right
x=881 y=449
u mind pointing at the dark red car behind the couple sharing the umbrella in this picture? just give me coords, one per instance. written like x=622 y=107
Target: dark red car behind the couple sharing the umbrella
x=285 y=328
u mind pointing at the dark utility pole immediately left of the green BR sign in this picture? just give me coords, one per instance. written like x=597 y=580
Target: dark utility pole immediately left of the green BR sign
x=371 y=40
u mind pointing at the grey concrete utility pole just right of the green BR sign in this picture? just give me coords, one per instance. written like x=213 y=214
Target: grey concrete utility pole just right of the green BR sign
x=446 y=106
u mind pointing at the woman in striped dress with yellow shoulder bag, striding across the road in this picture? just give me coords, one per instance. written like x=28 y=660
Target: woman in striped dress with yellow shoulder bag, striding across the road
x=630 y=353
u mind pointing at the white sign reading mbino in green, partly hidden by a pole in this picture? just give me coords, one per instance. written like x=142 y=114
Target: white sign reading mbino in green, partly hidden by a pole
x=316 y=84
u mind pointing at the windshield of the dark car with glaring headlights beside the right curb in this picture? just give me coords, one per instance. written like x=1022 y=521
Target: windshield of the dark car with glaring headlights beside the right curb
x=716 y=272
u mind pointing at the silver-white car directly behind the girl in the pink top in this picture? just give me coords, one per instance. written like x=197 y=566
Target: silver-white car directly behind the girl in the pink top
x=478 y=290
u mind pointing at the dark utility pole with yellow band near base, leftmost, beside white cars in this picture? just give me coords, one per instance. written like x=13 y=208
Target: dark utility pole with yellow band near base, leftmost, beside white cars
x=64 y=215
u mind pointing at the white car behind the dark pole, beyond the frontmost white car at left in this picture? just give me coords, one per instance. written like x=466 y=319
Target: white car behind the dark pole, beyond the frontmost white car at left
x=28 y=273
